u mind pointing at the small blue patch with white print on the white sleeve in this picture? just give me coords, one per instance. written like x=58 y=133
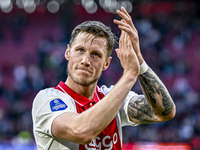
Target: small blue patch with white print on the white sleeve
x=57 y=105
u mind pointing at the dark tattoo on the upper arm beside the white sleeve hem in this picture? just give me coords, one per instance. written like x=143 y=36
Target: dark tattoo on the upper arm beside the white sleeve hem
x=140 y=109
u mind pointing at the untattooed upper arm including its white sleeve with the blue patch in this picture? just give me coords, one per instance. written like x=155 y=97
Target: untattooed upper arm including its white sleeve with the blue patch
x=54 y=115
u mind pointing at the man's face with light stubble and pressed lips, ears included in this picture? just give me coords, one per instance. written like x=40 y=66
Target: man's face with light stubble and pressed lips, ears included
x=87 y=59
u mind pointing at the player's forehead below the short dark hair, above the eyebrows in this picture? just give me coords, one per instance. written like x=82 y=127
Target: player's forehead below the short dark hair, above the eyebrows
x=84 y=38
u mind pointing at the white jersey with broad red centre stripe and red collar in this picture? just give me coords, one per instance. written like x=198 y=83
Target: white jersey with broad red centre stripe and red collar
x=52 y=102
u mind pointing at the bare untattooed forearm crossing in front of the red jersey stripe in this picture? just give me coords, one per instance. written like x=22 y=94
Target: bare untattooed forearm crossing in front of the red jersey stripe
x=101 y=114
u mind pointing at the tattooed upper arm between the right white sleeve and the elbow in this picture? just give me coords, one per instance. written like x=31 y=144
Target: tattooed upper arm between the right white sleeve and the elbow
x=139 y=110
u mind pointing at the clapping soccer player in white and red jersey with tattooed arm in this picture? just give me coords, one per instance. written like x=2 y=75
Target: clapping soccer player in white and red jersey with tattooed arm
x=79 y=115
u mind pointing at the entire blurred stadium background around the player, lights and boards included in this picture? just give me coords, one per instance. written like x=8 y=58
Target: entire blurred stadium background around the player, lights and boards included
x=33 y=39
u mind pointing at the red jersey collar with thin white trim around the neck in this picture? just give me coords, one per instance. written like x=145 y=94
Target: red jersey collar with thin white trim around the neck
x=79 y=99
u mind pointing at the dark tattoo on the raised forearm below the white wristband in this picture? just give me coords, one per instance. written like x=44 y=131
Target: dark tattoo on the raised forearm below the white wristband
x=155 y=90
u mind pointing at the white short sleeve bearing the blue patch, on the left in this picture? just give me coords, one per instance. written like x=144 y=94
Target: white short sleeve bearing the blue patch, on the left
x=47 y=105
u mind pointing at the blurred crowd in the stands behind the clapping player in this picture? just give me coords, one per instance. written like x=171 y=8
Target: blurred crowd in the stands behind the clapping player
x=169 y=44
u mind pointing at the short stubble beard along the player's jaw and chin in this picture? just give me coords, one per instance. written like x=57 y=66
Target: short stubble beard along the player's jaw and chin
x=82 y=81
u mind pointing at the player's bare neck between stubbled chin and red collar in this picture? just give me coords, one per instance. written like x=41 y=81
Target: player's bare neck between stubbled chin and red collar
x=86 y=91
